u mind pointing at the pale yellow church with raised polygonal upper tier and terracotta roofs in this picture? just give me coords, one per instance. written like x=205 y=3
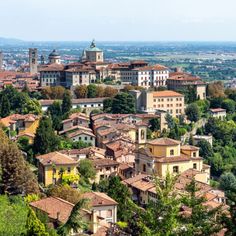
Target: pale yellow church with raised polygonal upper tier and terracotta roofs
x=166 y=155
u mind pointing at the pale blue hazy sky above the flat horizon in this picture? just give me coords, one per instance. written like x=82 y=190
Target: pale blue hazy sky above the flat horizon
x=121 y=20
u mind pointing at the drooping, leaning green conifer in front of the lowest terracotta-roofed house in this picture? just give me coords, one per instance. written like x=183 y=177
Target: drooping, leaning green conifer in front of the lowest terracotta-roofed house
x=75 y=221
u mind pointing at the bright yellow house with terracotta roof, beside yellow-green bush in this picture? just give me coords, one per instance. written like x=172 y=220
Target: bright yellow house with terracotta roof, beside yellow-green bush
x=52 y=165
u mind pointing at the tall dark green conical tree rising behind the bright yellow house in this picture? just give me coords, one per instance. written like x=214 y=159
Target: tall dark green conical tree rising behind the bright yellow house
x=45 y=140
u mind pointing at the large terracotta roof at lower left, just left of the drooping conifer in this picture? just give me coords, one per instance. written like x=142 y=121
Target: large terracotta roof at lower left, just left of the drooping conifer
x=56 y=208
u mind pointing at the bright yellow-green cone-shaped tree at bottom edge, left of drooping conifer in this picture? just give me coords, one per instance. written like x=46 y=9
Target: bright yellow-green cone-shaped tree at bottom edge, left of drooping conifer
x=34 y=227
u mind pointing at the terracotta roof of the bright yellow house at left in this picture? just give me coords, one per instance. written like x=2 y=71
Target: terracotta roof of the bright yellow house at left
x=56 y=158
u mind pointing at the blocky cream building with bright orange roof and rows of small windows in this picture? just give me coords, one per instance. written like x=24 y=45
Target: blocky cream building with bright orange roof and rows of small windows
x=167 y=101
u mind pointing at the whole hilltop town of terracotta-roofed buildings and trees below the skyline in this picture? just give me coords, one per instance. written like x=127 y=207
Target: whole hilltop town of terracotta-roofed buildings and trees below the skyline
x=97 y=147
